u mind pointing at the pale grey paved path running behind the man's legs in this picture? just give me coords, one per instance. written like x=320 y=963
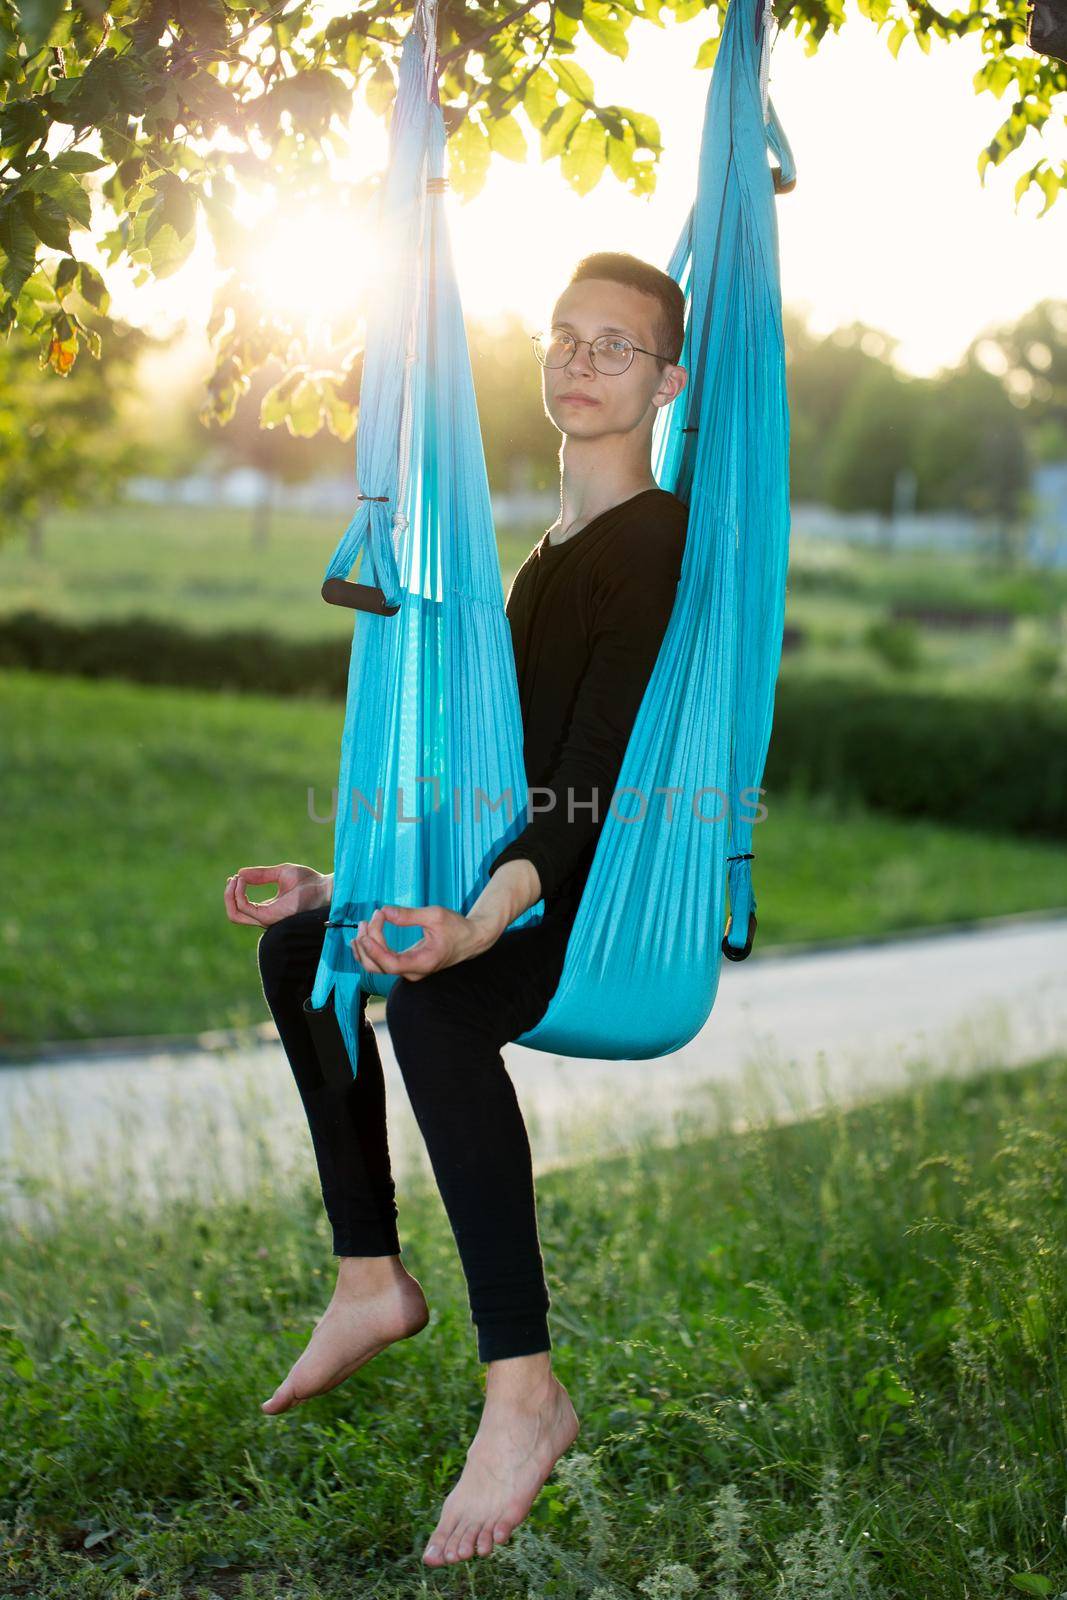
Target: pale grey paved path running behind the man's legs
x=788 y=1033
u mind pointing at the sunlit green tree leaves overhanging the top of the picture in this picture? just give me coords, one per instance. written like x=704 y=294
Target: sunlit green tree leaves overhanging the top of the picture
x=134 y=126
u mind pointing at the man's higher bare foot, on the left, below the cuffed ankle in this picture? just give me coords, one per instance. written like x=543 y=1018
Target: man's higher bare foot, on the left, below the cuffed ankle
x=377 y=1302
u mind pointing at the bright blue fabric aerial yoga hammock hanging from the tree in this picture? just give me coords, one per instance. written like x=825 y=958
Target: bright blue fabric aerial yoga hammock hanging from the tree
x=433 y=738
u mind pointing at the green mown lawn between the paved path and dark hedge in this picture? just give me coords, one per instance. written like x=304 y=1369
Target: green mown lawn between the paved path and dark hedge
x=130 y=807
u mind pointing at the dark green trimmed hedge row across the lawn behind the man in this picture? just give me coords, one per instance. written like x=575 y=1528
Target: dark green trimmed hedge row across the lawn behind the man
x=973 y=762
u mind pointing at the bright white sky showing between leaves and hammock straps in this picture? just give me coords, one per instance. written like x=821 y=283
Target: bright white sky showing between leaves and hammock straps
x=889 y=222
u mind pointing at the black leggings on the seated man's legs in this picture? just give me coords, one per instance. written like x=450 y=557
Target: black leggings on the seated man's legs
x=447 y=1031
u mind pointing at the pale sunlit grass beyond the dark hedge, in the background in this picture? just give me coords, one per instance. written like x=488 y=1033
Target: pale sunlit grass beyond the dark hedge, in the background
x=199 y=567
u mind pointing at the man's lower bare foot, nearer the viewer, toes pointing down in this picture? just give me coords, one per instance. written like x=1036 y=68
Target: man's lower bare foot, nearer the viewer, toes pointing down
x=527 y=1425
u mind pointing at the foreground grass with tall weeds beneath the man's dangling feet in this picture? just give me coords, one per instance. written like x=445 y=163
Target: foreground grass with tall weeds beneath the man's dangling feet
x=823 y=1361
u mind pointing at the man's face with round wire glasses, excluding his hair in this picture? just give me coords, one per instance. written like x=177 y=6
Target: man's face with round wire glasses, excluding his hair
x=588 y=404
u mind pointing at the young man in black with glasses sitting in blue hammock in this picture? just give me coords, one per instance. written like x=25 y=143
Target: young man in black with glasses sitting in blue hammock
x=588 y=614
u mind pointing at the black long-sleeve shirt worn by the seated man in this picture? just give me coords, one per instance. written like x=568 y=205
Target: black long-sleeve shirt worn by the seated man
x=588 y=618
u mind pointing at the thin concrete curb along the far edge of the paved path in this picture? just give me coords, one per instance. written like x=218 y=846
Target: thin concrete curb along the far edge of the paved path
x=138 y=1046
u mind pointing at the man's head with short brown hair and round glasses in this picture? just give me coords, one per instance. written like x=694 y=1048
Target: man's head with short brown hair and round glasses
x=617 y=294
